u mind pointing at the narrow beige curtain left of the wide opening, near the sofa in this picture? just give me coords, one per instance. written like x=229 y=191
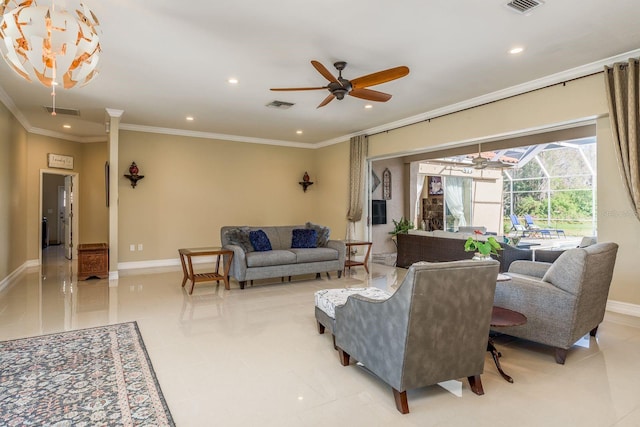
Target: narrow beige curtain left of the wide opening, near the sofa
x=357 y=166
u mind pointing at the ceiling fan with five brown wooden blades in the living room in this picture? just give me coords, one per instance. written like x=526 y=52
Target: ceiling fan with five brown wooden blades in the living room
x=339 y=87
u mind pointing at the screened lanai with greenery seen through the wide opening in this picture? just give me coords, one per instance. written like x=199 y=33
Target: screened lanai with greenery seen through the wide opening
x=552 y=184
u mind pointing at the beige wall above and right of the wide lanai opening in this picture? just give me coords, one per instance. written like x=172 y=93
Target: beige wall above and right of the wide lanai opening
x=577 y=100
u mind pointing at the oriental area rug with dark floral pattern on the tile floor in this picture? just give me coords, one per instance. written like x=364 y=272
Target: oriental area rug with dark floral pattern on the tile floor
x=91 y=377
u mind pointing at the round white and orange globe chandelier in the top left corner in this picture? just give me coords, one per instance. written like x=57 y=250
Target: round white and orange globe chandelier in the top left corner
x=49 y=44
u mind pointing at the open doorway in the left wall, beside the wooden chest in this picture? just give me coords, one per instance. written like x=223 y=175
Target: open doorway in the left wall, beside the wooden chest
x=58 y=207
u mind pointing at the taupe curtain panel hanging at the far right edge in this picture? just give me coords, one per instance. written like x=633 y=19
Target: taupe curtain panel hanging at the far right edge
x=623 y=85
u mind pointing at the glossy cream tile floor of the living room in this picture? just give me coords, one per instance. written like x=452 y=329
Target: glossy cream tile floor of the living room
x=253 y=357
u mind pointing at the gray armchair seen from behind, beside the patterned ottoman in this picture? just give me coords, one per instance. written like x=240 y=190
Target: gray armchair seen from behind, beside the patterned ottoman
x=432 y=329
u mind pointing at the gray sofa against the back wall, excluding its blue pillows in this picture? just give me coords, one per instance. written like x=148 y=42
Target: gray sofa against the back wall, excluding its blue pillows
x=282 y=260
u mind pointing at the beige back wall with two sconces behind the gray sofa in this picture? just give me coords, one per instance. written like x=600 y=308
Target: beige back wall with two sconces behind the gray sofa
x=194 y=186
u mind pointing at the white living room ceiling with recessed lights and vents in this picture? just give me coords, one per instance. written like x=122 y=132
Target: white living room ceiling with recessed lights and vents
x=163 y=60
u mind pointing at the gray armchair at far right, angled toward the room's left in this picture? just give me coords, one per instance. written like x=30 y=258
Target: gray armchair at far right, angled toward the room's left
x=562 y=301
